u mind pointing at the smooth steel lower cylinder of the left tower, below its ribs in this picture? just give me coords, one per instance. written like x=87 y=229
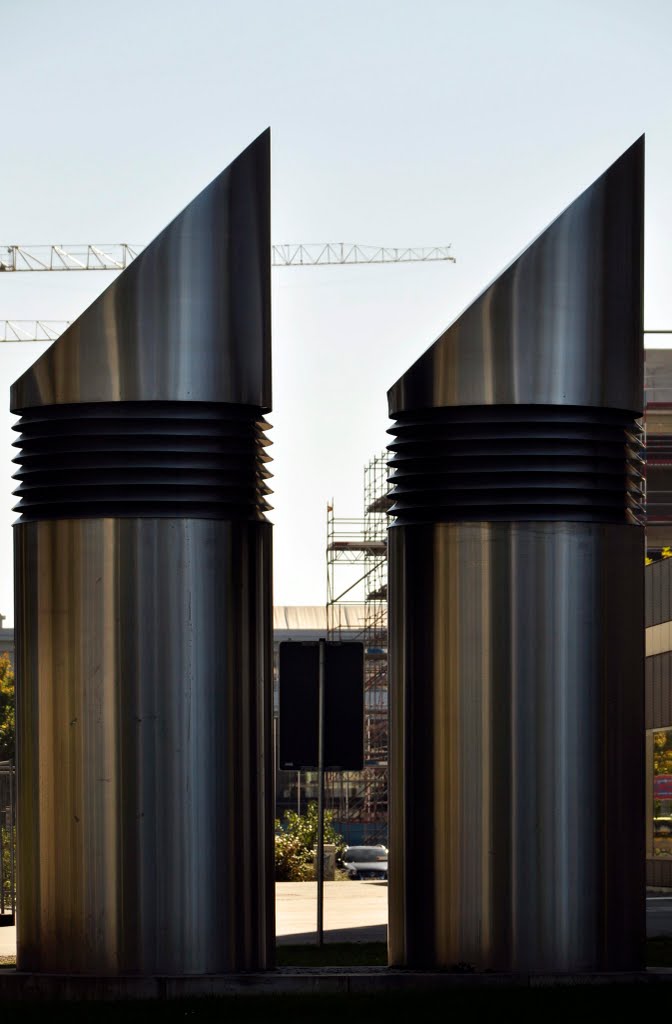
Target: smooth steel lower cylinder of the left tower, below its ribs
x=145 y=712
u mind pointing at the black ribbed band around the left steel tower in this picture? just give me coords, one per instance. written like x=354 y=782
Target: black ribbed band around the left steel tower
x=206 y=460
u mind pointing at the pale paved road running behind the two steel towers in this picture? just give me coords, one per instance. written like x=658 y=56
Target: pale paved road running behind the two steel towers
x=356 y=912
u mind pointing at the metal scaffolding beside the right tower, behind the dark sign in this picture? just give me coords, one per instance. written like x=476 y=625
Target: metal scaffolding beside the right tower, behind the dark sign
x=357 y=575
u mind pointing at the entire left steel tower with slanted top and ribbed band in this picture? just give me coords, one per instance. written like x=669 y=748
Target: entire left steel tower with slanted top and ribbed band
x=144 y=611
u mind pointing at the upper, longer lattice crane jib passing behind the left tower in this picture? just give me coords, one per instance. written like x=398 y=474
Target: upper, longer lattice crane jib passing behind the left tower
x=117 y=257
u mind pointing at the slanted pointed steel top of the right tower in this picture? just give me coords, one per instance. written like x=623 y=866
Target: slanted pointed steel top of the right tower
x=562 y=325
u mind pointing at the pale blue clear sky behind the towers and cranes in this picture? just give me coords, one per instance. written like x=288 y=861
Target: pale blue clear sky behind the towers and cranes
x=393 y=123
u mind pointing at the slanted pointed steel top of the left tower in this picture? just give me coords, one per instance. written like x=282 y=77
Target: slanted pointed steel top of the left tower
x=189 y=320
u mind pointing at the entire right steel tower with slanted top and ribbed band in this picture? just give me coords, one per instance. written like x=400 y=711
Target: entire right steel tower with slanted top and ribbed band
x=517 y=613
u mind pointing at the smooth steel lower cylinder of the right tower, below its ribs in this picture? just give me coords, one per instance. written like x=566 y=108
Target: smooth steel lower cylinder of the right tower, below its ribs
x=517 y=746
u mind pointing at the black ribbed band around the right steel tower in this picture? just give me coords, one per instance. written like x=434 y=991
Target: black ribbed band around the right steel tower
x=494 y=463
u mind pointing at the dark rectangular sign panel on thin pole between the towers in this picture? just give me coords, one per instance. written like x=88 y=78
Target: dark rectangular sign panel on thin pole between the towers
x=300 y=673
